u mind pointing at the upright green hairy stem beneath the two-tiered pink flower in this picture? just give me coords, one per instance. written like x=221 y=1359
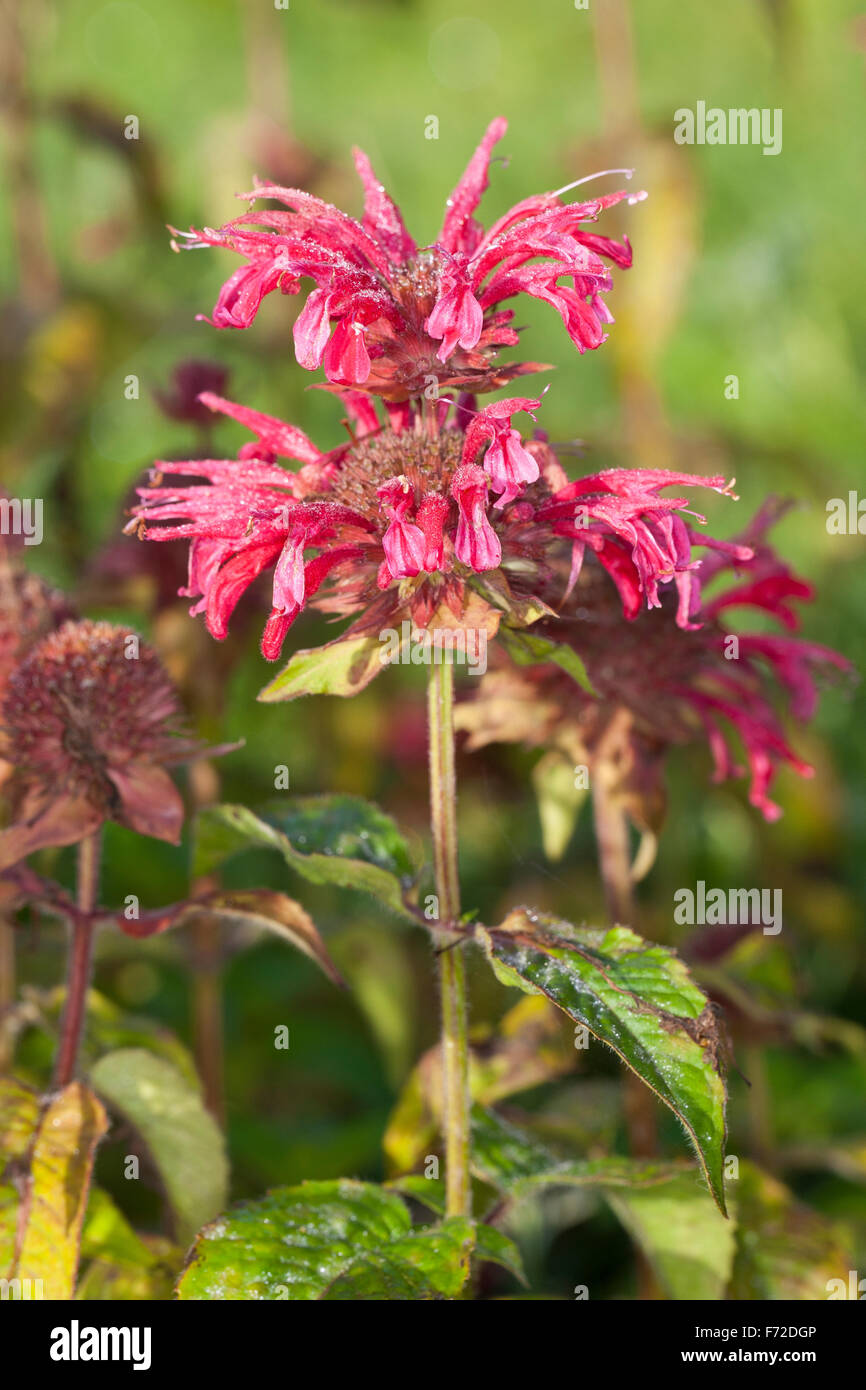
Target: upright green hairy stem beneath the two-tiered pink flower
x=452 y=967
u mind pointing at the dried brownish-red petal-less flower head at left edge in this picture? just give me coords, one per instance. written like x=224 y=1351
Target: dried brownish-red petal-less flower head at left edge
x=91 y=721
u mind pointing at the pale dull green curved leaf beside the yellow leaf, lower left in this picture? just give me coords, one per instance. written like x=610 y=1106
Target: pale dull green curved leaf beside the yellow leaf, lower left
x=184 y=1140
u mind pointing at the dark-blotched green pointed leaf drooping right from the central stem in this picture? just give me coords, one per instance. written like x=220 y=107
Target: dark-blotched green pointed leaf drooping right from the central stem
x=640 y=1000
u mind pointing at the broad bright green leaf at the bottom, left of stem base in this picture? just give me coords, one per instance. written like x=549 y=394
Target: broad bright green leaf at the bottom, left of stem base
x=332 y=1241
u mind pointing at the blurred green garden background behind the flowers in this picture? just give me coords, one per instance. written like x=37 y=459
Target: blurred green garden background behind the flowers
x=744 y=265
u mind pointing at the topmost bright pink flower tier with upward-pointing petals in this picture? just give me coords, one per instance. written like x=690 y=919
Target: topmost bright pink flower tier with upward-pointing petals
x=389 y=318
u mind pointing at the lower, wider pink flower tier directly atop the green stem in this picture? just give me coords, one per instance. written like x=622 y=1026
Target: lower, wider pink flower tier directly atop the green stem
x=446 y=519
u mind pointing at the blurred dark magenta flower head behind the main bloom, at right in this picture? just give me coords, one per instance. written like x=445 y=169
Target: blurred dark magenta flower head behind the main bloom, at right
x=661 y=686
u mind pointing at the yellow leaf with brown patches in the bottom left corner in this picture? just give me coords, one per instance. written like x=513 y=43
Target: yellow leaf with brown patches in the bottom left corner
x=56 y=1195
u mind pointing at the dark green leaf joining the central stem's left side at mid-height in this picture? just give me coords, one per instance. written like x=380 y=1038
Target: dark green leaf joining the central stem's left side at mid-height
x=327 y=840
